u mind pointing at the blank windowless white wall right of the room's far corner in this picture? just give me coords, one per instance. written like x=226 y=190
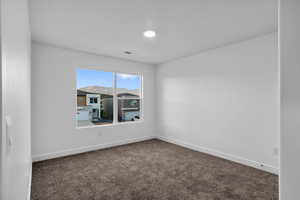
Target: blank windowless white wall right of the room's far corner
x=224 y=101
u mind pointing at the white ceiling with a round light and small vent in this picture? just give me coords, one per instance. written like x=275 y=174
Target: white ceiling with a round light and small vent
x=184 y=27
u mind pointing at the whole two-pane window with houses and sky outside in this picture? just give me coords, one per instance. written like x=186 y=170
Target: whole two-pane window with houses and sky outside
x=107 y=97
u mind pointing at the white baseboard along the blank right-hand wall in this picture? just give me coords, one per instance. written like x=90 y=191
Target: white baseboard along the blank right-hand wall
x=233 y=158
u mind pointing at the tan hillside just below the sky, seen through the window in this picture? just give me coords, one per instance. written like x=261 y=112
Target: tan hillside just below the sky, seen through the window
x=106 y=91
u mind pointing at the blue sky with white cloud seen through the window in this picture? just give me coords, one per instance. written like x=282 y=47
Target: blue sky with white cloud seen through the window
x=87 y=77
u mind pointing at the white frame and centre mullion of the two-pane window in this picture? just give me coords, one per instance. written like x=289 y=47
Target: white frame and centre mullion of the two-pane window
x=115 y=101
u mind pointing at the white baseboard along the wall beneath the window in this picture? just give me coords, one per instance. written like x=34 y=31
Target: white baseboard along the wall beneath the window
x=69 y=152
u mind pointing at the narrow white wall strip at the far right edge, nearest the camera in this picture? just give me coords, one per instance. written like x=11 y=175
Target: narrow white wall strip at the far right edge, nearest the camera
x=290 y=99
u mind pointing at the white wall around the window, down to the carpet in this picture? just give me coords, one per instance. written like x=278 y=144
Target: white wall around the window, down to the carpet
x=54 y=103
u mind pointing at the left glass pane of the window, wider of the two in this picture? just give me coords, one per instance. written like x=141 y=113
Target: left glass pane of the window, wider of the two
x=94 y=97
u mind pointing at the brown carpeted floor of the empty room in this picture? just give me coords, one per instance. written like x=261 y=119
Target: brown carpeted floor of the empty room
x=150 y=170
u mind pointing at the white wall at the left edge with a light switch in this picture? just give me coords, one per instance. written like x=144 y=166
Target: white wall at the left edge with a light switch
x=15 y=84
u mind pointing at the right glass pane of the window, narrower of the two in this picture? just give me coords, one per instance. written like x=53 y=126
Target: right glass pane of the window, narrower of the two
x=129 y=97
